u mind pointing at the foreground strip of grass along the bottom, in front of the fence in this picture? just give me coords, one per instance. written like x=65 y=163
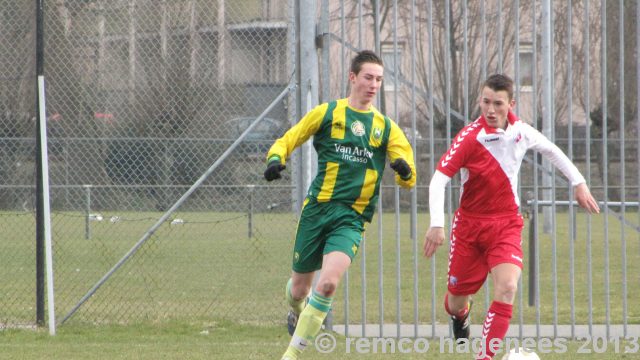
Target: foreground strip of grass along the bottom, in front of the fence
x=222 y=340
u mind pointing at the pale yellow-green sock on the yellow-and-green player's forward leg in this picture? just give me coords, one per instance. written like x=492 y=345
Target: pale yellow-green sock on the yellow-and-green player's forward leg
x=309 y=325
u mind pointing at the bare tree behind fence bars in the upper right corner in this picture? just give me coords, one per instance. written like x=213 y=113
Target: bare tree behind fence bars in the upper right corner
x=581 y=51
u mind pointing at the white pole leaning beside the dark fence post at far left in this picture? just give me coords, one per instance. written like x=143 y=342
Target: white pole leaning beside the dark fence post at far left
x=46 y=207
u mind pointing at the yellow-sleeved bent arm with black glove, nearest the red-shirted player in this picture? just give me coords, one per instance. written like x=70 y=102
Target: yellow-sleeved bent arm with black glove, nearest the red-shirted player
x=400 y=155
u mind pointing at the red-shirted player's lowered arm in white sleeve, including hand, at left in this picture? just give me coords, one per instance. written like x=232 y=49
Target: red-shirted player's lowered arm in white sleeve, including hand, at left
x=435 y=235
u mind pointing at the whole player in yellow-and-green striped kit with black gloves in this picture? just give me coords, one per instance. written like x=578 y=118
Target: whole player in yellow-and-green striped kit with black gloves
x=353 y=141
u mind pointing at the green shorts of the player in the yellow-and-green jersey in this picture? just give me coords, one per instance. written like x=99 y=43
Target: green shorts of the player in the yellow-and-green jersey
x=324 y=228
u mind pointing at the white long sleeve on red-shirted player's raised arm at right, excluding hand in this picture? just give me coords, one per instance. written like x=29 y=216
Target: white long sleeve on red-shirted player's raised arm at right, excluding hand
x=551 y=151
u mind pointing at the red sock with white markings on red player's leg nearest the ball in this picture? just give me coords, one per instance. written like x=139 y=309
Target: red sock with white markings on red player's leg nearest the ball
x=495 y=326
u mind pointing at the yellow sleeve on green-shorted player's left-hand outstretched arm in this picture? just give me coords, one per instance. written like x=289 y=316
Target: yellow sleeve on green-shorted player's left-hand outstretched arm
x=298 y=134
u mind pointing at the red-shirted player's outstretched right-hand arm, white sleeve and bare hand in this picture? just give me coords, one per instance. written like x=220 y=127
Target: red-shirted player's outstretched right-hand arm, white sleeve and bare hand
x=558 y=158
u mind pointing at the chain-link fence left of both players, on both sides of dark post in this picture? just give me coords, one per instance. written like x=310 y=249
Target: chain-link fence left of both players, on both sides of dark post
x=142 y=97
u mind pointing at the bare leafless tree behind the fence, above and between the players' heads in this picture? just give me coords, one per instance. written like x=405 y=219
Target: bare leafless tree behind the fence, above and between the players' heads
x=446 y=50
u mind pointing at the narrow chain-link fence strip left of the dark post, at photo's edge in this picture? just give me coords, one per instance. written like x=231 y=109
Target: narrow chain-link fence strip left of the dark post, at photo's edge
x=17 y=150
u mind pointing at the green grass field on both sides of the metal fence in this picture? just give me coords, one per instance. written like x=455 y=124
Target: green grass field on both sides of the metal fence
x=204 y=289
